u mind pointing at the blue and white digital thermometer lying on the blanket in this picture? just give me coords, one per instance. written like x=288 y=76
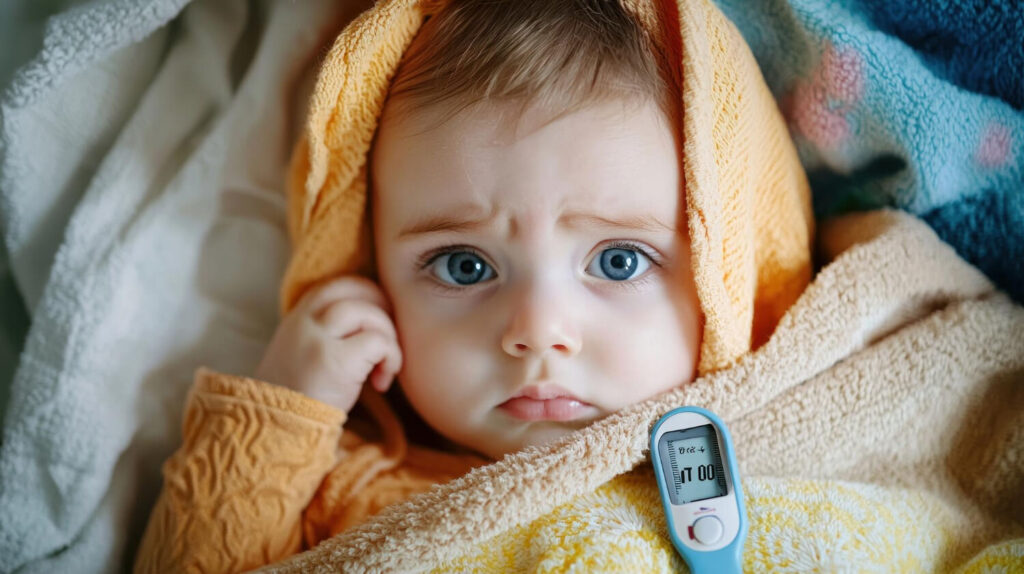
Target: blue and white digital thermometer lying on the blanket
x=699 y=479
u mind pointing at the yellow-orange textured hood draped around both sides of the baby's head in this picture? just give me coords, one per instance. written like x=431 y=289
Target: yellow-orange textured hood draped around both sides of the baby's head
x=748 y=204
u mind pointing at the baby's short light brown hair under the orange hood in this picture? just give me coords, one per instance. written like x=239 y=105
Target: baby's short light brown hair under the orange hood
x=563 y=55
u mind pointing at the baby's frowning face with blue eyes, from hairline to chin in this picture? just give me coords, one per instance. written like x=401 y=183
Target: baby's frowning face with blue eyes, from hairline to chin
x=537 y=272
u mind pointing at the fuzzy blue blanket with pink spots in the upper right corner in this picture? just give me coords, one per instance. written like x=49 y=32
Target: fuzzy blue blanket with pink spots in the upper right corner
x=909 y=104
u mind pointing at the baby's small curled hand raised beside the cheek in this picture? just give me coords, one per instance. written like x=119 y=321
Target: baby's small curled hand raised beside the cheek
x=335 y=339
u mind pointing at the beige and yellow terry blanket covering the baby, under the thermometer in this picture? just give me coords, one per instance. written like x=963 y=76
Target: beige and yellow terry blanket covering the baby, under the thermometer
x=880 y=429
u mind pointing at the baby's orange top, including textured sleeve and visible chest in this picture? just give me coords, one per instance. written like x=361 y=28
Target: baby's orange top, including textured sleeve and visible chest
x=266 y=472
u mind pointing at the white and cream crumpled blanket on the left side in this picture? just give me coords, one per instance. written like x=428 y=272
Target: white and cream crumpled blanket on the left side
x=142 y=178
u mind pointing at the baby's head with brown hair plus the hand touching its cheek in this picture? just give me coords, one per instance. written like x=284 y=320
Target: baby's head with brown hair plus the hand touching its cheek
x=527 y=227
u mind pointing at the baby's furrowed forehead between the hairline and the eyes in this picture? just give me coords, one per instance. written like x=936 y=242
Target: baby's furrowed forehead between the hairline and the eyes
x=614 y=161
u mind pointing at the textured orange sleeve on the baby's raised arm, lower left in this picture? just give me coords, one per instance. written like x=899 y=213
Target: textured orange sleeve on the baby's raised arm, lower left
x=252 y=458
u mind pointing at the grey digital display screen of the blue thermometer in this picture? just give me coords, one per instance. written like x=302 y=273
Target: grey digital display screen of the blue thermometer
x=693 y=463
